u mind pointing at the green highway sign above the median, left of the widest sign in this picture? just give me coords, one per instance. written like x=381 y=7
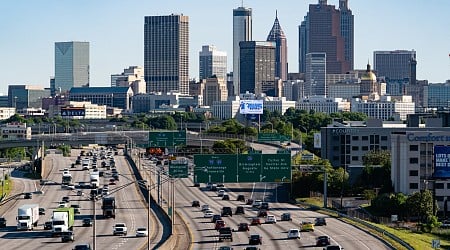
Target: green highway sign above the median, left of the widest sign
x=167 y=138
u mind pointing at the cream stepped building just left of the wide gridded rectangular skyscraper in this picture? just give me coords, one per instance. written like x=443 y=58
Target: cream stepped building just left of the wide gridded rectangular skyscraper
x=132 y=77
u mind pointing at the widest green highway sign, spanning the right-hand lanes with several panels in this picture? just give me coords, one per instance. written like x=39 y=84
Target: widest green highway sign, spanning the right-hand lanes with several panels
x=232 y=168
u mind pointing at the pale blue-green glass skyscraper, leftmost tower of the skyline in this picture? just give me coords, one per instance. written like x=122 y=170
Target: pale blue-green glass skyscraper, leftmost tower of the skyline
x=71 y=66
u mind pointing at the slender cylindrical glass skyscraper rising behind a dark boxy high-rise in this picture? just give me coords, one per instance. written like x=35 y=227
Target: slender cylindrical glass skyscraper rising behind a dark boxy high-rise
x=242 y=31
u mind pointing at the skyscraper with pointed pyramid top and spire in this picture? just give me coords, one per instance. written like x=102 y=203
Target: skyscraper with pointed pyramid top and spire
x=277 y=35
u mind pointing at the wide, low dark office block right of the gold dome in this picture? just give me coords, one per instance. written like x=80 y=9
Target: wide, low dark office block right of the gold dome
x=395 y=65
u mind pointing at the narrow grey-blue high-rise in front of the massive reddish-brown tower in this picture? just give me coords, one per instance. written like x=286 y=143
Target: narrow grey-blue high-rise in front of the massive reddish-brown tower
x=315 y=75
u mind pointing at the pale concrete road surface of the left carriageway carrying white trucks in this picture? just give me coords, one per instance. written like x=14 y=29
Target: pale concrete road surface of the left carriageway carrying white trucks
x=130 y=210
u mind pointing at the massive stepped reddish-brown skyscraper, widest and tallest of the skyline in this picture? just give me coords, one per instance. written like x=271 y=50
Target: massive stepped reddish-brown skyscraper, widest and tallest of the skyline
x=328 y=30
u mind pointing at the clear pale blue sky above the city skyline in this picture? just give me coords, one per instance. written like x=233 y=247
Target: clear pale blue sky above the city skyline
x=114 y=29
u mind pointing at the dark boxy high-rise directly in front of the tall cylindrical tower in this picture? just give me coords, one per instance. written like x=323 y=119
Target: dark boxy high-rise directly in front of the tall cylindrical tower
x=257 y=65
